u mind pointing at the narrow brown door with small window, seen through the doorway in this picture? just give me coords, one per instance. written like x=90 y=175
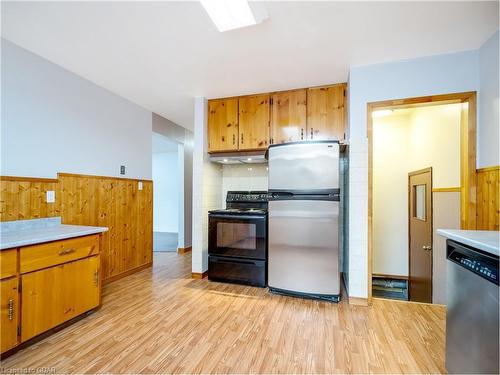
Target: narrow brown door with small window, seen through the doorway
x=420 y=235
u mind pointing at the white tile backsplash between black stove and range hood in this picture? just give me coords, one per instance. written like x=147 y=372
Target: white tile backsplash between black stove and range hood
x=243 y=177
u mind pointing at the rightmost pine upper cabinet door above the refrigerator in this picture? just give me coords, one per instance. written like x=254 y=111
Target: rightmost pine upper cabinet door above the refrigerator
x=326 y=112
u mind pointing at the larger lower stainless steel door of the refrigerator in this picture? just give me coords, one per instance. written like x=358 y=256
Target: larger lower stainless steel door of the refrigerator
x=303 y=246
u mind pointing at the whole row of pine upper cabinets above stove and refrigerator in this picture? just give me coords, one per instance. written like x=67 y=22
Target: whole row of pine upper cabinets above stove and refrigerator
x=254 y=122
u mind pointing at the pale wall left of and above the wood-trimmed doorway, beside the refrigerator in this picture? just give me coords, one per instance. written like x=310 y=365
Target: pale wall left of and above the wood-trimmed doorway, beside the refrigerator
x=410 y=78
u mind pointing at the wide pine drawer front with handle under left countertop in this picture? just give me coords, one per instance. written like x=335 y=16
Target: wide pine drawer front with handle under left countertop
x=36 y=257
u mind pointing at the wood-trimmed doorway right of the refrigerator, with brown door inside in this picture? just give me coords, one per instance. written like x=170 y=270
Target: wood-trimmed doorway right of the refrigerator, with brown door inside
x=452 y=192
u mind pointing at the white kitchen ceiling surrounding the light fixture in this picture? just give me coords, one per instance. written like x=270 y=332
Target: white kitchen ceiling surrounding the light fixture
x=162 y=54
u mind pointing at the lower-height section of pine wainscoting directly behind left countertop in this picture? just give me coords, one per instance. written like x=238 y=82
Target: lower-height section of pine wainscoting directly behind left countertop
x=23 y=198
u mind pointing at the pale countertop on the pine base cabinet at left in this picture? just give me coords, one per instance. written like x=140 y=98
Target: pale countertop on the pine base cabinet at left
x=42 y=231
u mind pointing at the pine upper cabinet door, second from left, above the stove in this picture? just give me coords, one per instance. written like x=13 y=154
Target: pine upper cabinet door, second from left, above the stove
x=254 y=122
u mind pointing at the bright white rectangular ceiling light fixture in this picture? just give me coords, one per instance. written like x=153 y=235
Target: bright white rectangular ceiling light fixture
x=232 y=14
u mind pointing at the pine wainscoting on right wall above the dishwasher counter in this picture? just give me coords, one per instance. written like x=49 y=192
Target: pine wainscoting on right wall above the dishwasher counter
x=488 y=201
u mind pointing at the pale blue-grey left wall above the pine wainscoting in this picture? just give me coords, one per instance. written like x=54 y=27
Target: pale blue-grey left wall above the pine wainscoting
x=55 y=121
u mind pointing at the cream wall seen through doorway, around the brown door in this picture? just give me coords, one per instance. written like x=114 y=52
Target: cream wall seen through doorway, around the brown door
x=407 y=141
